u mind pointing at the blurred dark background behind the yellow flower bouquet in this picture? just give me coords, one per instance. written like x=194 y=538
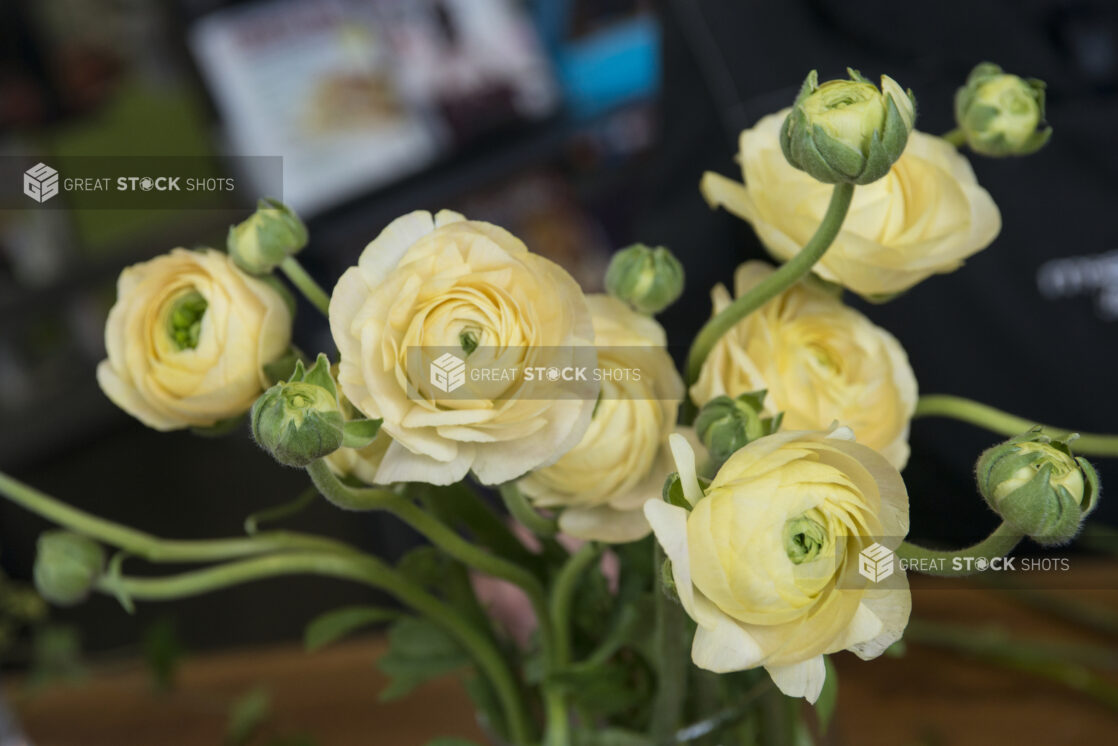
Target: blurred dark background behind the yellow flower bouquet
x=580 y=126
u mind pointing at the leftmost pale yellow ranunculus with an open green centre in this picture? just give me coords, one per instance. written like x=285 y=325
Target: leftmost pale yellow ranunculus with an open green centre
x=187 y=339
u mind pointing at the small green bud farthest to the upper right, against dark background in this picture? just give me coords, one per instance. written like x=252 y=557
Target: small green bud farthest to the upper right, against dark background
x=1002 y=115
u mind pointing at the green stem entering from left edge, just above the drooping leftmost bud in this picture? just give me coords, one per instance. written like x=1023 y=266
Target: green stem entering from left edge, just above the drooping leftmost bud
x=154 y=549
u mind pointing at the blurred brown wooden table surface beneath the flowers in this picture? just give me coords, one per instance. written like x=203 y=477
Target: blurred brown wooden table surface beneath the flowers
x=927 y=698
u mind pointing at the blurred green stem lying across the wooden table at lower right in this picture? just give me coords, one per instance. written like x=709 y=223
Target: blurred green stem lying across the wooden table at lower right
x=1043 y=660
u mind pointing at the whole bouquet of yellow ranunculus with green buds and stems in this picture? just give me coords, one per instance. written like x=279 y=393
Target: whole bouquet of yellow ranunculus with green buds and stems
x=688 y=549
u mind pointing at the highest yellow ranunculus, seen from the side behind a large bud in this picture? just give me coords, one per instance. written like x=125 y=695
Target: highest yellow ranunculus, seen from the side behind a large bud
x=926 y=216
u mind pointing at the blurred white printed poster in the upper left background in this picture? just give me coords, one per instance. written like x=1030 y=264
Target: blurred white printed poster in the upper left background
x=356 y=95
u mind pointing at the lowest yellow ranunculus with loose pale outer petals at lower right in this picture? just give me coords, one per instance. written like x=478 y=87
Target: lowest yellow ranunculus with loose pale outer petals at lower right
x=766 y=562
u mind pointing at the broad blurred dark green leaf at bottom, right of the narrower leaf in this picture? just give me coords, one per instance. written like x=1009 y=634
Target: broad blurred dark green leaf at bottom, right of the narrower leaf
x=418 y=653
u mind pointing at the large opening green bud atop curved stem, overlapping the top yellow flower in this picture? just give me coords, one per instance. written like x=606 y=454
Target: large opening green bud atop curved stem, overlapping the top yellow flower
x=848 y=131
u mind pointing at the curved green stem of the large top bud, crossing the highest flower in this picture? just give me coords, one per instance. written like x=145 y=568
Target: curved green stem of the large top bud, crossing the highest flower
x=773 y=286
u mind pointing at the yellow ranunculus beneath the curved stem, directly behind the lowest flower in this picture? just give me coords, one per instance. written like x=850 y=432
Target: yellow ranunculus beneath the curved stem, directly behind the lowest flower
x=820 y=361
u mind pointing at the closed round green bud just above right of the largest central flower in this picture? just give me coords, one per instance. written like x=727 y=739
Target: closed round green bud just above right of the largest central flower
x=650 y=280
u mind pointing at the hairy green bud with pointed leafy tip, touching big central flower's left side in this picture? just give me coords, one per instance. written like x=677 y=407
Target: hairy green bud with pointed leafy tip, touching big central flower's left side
x=301 y=420
